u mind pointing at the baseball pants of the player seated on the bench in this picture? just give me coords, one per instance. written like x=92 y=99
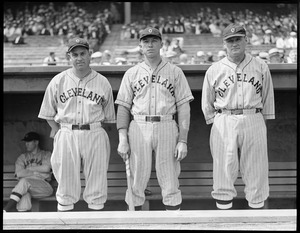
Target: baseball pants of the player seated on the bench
x=30 y=188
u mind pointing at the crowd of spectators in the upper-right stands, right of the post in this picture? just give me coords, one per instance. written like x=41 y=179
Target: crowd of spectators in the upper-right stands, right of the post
x=268 y=28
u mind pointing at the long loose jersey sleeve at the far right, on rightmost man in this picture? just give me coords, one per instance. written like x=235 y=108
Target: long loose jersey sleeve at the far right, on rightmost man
x=268 y=110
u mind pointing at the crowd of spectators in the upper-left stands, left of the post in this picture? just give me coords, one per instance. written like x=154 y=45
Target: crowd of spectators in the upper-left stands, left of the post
x=49 y=19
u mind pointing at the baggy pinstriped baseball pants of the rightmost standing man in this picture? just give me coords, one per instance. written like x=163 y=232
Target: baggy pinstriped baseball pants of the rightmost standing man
x=244 y=136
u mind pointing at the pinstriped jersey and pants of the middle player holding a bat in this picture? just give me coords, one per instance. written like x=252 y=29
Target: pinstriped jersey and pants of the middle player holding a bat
x=159 y=92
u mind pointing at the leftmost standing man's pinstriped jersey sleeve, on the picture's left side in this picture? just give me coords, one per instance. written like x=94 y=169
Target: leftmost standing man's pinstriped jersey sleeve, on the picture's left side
x=48 y=108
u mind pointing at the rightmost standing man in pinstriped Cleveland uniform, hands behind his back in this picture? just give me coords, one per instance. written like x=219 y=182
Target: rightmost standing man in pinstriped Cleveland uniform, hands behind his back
x=238 y=98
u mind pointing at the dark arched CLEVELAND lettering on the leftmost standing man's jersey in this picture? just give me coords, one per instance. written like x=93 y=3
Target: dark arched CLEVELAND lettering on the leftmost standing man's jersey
x=72 y=92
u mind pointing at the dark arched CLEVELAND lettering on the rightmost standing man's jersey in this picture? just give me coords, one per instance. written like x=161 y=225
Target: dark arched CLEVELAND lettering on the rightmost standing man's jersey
x=227 y=83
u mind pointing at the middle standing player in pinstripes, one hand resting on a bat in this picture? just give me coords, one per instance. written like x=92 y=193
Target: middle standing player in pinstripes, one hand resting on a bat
x=153 y=91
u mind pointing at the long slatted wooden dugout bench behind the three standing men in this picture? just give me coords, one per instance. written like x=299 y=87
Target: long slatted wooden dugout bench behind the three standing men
x=195 y=183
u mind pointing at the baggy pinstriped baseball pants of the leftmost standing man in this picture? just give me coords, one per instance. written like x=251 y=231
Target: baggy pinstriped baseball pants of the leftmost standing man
x=73 y=148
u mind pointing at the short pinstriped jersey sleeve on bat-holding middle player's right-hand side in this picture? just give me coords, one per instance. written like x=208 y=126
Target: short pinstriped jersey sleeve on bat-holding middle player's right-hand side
x=183 y=92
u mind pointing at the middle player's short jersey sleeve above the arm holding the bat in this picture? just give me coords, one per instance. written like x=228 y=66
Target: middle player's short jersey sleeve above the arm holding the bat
x=125 y=94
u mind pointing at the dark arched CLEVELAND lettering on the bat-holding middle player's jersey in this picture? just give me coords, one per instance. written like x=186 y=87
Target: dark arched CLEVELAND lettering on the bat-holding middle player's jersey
x=144 y=81
